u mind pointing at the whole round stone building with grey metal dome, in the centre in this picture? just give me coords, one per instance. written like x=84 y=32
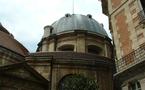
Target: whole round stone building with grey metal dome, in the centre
x=65 y=51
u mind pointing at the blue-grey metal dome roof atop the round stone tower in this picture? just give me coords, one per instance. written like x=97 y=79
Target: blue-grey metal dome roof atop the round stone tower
x=69 y=23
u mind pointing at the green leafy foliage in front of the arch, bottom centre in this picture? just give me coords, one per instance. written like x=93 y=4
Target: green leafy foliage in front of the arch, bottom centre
x=78 y=82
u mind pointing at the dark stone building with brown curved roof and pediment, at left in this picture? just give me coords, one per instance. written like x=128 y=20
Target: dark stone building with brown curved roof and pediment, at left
x=15 y=74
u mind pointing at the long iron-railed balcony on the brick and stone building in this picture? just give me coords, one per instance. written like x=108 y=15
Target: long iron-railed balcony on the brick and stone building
x=132 y=59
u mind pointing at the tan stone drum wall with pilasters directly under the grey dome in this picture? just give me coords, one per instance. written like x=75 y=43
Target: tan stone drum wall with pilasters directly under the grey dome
x=76 y=40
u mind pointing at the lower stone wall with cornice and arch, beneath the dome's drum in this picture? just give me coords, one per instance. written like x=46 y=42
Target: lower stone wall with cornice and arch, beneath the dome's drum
x=66 y=63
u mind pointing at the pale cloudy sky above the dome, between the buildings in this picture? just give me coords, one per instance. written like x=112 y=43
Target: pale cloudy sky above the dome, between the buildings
x=25 y=19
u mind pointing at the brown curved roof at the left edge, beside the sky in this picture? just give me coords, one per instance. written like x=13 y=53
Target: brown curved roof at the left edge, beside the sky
x=8 y=41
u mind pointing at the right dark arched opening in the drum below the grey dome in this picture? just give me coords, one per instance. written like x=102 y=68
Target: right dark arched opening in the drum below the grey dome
x=94 y=49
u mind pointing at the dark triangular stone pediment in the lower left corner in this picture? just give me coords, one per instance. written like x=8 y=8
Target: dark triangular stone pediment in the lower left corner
x=21 y=76
